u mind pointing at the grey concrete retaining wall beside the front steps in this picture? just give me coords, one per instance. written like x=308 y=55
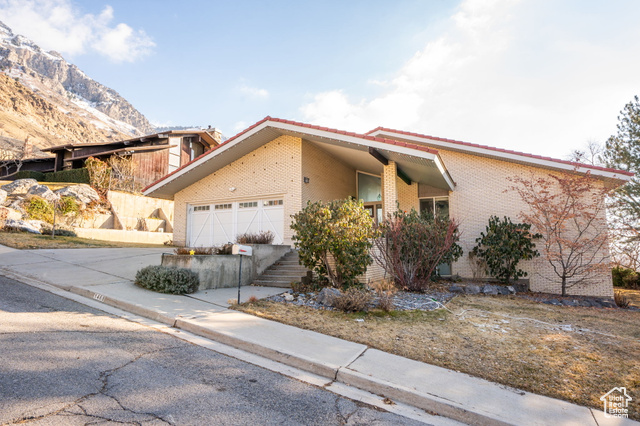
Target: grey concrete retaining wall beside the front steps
x=221 y=271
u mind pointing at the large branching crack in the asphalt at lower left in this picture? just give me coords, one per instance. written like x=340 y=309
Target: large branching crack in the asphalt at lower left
x=104 y=378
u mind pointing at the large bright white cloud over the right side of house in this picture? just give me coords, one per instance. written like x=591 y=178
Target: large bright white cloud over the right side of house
x=529 y=75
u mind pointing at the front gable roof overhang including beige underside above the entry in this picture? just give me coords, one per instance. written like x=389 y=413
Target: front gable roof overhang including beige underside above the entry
x=415 y=163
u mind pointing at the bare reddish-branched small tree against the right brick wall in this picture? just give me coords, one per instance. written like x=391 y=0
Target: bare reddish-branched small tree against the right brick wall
x=569 y=213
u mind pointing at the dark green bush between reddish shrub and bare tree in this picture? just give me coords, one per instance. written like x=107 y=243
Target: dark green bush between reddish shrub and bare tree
x=503 y=246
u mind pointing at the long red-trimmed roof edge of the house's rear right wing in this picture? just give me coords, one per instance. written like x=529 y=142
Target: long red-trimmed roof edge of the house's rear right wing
x=502 y=154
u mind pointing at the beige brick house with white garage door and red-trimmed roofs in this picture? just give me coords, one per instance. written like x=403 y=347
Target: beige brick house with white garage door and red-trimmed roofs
x=260 y=177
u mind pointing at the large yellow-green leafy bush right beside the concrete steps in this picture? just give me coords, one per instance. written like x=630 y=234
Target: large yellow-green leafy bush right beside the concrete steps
x=334 y=240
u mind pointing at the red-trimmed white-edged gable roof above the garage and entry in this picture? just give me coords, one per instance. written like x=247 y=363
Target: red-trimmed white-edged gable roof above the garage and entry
x=269 y=128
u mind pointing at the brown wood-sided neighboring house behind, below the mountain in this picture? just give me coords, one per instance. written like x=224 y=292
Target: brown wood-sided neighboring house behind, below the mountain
x=154 y=155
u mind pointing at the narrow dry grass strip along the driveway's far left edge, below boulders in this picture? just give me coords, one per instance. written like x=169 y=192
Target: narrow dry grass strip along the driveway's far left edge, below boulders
x=26 y=241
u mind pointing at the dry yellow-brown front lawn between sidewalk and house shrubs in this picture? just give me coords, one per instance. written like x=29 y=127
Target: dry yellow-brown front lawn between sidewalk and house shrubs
x=574 y=354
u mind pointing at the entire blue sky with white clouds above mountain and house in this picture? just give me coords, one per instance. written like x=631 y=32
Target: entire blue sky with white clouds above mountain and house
x=539 y=76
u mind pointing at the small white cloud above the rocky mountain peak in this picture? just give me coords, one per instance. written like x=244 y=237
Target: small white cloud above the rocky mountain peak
x=59 y=25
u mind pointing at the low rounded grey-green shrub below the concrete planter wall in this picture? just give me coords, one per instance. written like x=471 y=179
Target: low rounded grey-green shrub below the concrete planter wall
x=164 y=279
